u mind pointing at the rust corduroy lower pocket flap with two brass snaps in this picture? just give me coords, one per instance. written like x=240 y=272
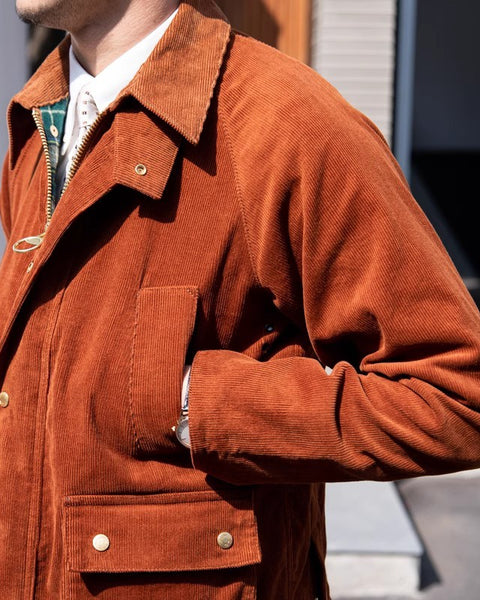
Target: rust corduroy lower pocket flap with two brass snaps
x=163 y=532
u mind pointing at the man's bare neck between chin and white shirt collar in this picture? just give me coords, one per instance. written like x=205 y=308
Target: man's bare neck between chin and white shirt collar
x=99 y=44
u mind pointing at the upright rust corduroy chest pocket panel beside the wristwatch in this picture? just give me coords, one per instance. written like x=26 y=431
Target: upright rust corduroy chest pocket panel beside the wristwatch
x=164 y=324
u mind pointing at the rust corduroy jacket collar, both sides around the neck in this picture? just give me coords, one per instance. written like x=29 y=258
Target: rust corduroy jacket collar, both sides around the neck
x=177 y=81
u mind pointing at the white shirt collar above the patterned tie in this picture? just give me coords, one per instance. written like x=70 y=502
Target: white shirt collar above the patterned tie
x=106 y=86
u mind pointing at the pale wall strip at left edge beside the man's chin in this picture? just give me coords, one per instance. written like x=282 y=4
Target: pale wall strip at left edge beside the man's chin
x=13 y=66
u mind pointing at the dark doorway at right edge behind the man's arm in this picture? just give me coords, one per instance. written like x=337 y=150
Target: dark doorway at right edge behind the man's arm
x=446 y=127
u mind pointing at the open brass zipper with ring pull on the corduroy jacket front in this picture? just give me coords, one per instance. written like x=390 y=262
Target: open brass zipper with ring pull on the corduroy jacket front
x=35 y=241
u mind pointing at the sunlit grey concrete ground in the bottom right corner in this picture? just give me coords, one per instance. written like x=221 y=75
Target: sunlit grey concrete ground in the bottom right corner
x=446 y=512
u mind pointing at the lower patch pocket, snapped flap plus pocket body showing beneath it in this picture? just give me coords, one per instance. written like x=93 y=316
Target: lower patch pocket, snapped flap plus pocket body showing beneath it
x=195 y=546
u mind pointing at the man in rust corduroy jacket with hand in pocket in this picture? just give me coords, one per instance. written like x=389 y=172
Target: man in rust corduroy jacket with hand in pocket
x=227 y=210
